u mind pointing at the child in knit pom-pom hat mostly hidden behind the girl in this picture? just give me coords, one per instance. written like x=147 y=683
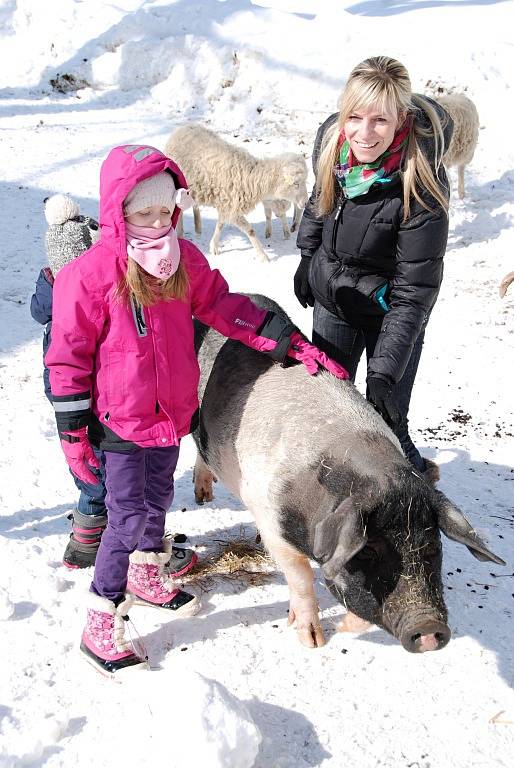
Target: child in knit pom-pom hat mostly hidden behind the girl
x=69 y=234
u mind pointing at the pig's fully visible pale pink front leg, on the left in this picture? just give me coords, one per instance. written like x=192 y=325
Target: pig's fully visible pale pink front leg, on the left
x=303 y=606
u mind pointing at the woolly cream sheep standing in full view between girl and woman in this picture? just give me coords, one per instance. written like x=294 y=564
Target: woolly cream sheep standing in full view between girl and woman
x=231 y=180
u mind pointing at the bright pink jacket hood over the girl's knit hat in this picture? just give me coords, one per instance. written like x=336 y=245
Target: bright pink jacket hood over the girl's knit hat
x=122 y=169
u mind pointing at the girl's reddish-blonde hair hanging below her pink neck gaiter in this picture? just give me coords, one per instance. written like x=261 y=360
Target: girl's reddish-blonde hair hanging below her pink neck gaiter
x=148 y=290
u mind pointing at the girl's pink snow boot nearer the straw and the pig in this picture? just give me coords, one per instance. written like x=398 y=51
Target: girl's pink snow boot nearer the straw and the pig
x=149 y=585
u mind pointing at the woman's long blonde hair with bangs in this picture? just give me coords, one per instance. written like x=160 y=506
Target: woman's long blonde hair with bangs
x=384 y=83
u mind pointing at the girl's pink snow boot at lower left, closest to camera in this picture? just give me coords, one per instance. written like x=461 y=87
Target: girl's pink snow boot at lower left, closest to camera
x=103 y=643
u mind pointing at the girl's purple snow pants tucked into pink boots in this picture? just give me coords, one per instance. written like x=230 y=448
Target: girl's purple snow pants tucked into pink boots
x=139 y=493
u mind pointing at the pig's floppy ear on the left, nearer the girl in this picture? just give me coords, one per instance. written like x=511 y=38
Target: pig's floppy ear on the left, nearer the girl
x=338 y=536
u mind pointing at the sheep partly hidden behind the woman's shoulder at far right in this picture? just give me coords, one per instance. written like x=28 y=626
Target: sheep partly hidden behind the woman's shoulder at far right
x=465 y=133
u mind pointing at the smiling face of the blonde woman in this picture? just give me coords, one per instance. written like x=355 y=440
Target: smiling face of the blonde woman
x=370 y=132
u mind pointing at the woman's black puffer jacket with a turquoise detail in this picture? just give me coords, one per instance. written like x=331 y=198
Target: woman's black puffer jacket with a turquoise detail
x=374 y=270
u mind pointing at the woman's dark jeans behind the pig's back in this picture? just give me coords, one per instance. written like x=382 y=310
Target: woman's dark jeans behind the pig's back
x=345 y=344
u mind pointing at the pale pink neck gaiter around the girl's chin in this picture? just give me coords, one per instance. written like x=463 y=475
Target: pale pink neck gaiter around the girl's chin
x=156 y=250
